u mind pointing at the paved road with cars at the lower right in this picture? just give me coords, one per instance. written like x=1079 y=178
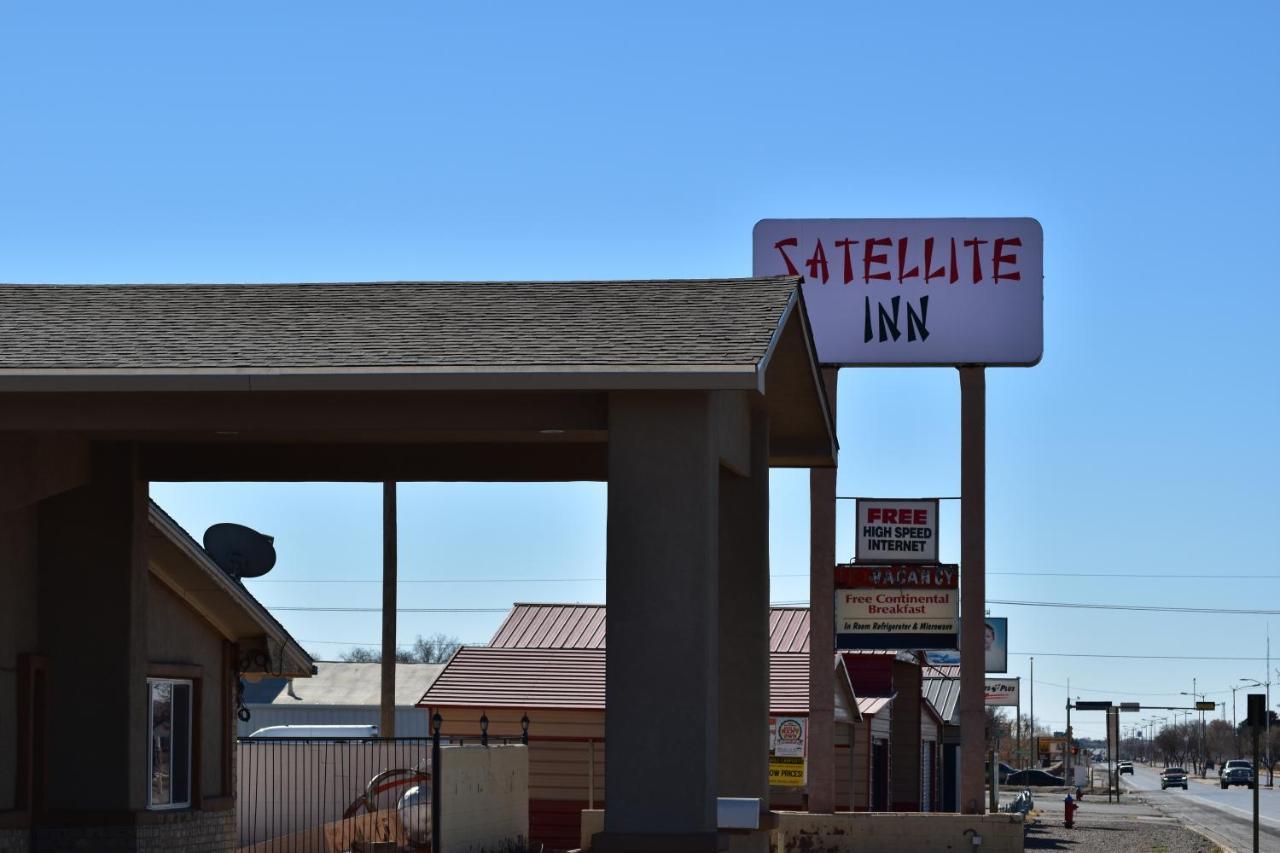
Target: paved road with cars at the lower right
x=1227 y=815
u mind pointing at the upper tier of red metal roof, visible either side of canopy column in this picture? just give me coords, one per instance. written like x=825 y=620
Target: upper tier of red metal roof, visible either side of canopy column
x=583 y=627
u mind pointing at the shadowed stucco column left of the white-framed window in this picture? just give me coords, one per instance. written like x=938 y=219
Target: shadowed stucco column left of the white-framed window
x=94 y=631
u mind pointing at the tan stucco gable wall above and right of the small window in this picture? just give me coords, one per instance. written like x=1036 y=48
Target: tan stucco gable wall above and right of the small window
x=177 y=635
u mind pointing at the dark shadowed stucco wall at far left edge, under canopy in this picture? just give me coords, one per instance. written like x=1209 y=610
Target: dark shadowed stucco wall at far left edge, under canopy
x=19 y=631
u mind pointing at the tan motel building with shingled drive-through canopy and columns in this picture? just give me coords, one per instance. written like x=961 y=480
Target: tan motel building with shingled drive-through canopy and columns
x=682 y=395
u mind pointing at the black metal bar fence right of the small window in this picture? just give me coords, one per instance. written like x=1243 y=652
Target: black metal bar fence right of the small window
x=327 y=796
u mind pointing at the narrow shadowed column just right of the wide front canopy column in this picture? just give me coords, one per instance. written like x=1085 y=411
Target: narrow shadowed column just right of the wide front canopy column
x=744 y=623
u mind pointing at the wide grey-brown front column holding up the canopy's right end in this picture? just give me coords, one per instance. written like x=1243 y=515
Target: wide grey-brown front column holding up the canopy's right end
x=662 y=687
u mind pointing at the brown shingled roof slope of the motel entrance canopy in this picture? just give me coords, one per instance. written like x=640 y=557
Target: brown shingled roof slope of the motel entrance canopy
x=712 y=325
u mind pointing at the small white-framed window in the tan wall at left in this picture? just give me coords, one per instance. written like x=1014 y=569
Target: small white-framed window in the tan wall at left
x=170 y=750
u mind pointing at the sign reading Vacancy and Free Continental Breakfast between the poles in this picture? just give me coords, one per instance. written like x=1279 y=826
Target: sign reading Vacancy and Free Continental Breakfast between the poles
x=889 y=608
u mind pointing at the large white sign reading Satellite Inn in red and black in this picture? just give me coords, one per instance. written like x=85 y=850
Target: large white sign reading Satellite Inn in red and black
x=915 y=291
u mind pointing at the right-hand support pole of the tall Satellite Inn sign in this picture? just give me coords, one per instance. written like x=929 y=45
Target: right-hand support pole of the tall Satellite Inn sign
x=973 y=583
